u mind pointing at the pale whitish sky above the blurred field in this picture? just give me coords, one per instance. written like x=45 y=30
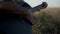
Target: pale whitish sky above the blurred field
x=51 y=3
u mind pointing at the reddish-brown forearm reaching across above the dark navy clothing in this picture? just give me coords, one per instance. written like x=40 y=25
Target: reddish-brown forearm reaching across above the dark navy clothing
x=14 y=9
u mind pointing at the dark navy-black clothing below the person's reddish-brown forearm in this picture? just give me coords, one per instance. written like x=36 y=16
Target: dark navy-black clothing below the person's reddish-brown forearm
x=14 y=24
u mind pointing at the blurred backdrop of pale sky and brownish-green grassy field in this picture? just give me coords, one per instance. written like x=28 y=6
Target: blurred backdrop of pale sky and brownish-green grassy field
x=48 y=19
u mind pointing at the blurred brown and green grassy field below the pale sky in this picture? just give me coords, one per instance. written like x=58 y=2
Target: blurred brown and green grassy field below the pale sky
x=48 y=21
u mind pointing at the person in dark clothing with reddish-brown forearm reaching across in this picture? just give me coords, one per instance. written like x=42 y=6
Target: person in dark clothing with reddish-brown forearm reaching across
x=15 y=19
